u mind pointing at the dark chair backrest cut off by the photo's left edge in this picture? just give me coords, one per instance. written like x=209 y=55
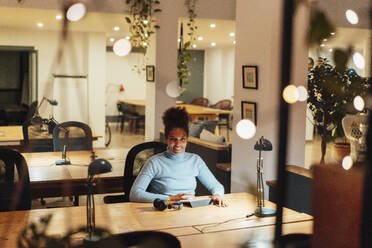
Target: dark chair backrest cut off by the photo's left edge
x=15 y=190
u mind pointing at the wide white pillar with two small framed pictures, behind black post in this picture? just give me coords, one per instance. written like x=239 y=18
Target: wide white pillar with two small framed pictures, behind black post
x=258 y=38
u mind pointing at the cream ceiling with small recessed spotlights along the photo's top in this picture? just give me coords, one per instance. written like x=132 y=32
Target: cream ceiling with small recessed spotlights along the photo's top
x=27 y=15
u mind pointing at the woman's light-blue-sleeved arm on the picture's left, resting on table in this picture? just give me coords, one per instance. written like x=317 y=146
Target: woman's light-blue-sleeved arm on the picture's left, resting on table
x=138 y=192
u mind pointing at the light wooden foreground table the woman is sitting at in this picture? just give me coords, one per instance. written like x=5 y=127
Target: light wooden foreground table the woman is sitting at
x=195 y=227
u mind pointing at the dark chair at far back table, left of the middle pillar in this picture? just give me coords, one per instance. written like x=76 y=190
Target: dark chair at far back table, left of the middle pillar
x=127 y=114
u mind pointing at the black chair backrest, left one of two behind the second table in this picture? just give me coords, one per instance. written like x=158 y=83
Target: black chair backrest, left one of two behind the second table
x=35 y=139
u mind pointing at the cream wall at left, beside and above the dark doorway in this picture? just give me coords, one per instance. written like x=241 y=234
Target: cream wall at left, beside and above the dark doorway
x=83 y=54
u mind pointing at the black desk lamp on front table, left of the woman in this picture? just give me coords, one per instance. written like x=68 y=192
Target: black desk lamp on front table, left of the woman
x=98 y=166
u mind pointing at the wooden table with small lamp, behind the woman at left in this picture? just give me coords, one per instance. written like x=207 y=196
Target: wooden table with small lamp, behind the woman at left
x=50 y=180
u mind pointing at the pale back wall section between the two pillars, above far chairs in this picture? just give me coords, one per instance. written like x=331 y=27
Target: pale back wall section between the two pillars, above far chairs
x=219 y=74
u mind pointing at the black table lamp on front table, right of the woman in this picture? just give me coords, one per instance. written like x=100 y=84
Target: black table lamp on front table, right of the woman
x=262 y=145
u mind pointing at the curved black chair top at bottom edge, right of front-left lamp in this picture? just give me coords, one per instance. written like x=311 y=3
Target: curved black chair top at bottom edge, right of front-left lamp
x=144 y=239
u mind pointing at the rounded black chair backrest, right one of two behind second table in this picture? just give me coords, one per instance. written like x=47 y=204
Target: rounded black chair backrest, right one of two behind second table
x=79 y=136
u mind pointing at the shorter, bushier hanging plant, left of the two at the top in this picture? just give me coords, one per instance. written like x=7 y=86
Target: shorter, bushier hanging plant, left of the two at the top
x=141 y=23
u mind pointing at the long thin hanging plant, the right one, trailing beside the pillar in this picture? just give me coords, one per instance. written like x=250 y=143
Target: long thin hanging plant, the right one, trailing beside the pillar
x=184 y=55
